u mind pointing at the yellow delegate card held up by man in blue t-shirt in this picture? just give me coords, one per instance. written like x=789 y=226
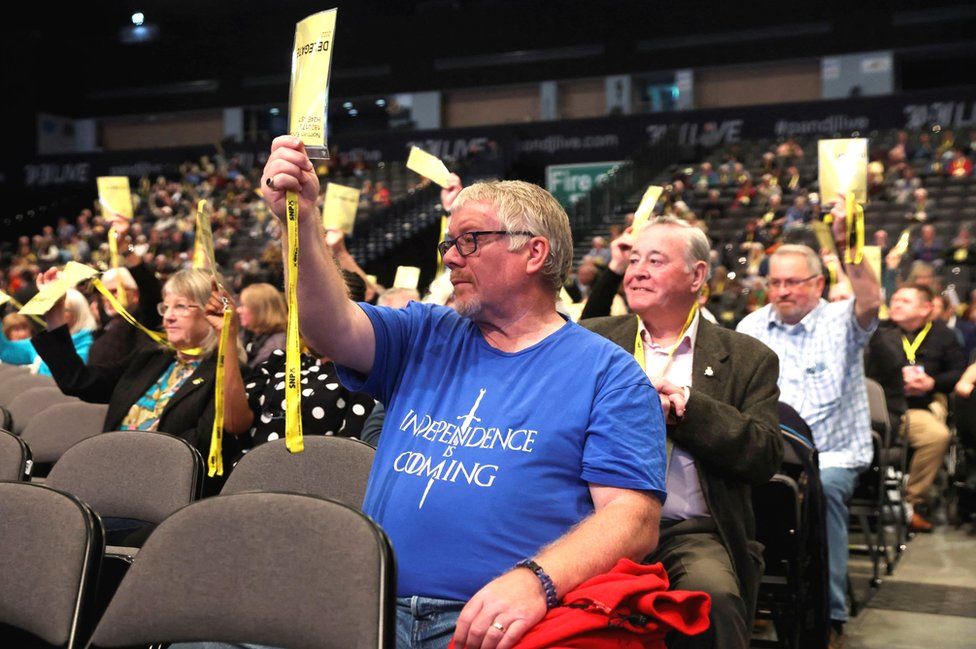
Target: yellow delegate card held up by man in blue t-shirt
x=311 y=61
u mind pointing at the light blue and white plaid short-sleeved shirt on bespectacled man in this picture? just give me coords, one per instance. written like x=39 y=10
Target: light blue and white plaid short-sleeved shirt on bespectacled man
x=821 y=374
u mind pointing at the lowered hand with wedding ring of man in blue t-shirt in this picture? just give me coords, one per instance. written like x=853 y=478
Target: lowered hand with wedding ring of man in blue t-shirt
x=515 y=601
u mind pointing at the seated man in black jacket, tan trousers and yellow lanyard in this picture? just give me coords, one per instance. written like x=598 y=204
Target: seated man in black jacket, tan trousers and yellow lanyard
x=933 y=361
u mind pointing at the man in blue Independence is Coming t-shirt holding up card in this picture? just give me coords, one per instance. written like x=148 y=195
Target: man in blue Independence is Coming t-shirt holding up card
x=521 y=454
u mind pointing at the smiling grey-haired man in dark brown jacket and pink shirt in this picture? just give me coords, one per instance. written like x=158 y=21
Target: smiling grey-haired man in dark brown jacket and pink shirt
x=718 y=389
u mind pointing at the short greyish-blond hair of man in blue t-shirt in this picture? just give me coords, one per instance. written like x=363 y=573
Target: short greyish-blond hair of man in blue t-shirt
x=522 y=206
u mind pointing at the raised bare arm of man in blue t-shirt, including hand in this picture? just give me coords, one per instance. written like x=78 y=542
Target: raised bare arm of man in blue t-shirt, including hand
x=329 y=320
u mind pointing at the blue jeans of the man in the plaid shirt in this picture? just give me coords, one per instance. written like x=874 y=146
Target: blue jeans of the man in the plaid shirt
x=838 y=485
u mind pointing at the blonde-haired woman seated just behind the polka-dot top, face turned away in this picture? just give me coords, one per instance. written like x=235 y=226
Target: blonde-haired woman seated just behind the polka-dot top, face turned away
x=264 y=316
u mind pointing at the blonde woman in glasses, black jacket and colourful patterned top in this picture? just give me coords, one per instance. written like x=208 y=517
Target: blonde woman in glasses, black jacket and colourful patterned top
x=168 y=389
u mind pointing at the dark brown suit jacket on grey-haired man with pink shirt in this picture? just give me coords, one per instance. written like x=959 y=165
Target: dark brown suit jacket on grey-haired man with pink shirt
x=730 y=427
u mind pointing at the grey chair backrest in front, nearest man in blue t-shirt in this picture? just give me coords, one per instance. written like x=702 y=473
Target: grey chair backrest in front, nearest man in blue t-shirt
x=285 y=570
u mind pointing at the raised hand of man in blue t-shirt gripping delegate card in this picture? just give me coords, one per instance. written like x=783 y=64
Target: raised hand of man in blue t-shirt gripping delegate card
x=290 y=170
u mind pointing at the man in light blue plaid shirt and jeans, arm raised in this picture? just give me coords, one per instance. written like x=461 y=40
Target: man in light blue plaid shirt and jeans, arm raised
x=820 y=346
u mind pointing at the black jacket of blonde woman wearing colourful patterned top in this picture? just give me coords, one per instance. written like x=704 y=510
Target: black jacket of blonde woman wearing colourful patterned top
x=189 y=414
